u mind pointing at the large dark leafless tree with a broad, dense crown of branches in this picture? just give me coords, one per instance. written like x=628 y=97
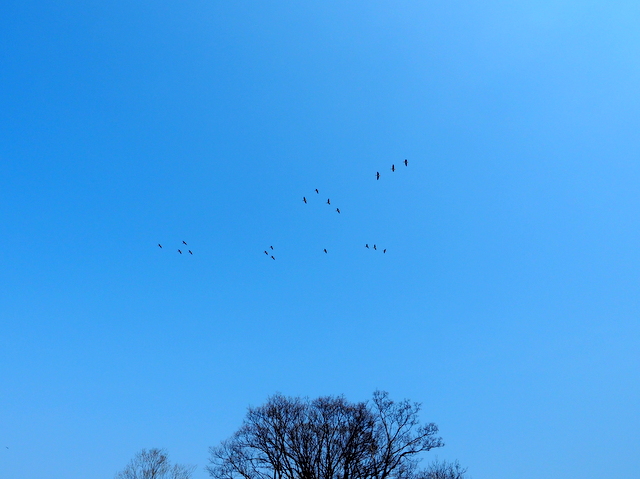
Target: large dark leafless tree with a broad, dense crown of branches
x=326 y=438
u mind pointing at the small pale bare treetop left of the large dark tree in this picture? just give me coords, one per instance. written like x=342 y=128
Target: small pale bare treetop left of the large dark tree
x=154 y=464
